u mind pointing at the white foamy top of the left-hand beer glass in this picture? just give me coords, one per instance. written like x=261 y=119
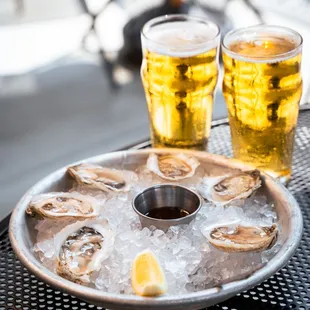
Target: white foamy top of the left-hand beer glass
x=181 y=38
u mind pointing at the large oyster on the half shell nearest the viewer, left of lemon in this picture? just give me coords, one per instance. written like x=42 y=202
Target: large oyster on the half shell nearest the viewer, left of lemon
x=81 y=248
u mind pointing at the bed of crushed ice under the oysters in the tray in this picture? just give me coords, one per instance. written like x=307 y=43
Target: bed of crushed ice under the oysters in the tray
x=190 y=263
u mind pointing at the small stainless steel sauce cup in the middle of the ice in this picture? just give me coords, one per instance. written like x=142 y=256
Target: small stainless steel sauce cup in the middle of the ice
x=166 y=195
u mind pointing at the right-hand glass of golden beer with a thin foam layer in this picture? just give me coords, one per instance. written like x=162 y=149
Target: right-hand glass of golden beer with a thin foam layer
x=262 y=87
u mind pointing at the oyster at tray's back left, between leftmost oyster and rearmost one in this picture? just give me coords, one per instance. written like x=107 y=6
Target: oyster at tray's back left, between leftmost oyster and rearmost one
x=105 y=179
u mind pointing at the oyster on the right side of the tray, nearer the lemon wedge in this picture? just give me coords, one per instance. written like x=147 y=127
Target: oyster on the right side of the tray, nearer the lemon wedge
x=242 y=238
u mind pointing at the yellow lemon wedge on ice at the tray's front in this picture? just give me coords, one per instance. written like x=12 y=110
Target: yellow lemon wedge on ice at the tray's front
x=147 y=276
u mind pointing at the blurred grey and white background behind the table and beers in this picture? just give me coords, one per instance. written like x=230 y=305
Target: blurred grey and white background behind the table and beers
x=69 y=76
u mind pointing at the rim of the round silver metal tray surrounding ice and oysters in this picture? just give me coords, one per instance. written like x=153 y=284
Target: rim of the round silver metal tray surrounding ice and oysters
x=22 y=236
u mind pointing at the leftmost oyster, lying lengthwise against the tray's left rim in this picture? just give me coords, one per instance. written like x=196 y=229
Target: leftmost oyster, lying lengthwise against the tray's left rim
x=63 y=205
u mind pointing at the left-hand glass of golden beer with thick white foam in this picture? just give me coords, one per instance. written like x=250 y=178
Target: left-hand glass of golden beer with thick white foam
x=179 y=74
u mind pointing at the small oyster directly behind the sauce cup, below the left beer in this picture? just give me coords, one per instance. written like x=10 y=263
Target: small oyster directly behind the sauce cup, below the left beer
x=172 y=167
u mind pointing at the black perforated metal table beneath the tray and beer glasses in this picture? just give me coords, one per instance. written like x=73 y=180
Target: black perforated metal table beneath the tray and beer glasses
x=288 y=289
